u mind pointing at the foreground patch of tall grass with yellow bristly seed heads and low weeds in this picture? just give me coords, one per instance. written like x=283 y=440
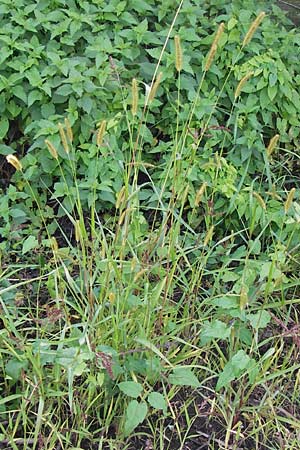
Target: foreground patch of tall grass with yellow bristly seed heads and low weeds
x=170 y=321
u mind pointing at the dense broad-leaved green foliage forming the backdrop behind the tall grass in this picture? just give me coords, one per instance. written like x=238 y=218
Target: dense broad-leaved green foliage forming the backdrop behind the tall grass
x=78 y=60
